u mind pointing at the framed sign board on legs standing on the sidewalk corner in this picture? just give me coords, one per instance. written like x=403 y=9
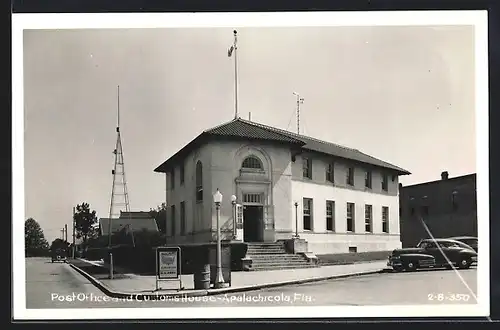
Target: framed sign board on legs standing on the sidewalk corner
x=168 y=264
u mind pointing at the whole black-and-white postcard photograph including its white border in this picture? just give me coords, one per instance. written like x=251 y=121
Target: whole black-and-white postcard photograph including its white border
x=325 y=164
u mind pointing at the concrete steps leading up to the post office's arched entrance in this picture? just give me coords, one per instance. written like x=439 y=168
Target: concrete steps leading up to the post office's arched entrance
x=273 y=256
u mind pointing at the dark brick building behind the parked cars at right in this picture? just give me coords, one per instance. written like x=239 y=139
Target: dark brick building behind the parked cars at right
x=446 y=207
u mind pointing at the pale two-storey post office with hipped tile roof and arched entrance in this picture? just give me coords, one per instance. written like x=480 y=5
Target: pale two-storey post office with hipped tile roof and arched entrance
x=336 y=198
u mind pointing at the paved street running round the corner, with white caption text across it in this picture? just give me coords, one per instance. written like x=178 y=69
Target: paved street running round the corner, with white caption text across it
x=421 y=287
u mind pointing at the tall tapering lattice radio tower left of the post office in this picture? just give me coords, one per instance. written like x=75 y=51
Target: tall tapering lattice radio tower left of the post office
x=119 y=193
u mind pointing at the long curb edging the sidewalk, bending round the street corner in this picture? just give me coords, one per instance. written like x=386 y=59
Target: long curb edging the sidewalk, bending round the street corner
x=200 y=293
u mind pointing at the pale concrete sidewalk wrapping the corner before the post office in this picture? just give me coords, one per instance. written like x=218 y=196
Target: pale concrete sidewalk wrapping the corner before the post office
x=133 y=285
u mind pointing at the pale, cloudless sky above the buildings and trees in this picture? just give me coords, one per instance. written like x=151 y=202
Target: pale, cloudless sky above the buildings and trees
x=401 y=94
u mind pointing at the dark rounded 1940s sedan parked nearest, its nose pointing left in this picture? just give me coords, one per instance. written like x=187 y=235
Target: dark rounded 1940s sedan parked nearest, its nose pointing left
x=433 y=253
